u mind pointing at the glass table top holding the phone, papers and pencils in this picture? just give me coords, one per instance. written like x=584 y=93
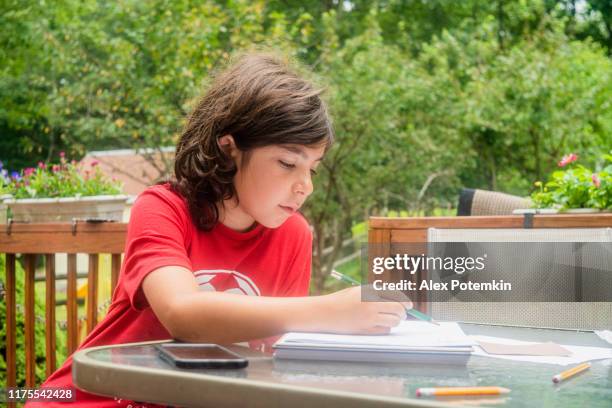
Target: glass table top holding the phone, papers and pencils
x=530 y=383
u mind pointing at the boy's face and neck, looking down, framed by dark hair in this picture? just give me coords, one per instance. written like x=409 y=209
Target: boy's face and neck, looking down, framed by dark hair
x=271 y=185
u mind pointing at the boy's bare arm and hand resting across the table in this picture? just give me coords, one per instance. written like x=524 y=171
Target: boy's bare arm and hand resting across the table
x=217 y=317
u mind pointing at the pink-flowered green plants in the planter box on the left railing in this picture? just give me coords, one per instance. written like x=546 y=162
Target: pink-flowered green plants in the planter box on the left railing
x=60 y=180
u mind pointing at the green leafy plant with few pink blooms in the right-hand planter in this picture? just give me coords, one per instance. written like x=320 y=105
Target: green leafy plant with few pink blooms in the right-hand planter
x=576 y=187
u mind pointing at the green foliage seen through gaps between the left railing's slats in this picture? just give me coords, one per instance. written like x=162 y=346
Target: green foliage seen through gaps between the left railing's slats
x=39 y=331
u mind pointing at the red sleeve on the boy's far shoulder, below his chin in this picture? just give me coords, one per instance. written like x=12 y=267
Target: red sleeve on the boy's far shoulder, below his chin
x=299 y=282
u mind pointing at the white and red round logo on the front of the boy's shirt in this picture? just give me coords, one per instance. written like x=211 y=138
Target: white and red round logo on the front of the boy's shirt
x=214 y=280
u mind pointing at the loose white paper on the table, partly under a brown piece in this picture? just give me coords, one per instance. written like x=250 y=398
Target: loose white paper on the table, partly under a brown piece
x=579 y=354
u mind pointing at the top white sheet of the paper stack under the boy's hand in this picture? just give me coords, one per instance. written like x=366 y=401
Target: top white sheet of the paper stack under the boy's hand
x=407 y=333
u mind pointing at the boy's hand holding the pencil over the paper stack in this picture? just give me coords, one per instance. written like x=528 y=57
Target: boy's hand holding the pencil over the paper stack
x=346 y=312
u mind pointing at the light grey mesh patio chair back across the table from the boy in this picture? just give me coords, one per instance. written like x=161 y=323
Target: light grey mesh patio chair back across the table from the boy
x=568 y=314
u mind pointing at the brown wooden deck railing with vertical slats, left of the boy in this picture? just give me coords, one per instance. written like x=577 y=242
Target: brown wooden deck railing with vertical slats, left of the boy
x=31 y=241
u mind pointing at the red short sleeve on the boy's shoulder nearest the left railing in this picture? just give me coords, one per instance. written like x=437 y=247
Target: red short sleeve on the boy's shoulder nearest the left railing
x=158 y=235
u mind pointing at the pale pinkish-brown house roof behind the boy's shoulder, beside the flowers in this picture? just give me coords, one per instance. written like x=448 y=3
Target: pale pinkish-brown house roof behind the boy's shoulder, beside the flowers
x=136 y=168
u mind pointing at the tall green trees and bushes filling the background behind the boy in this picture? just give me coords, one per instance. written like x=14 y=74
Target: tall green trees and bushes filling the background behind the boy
x=427 y=96
